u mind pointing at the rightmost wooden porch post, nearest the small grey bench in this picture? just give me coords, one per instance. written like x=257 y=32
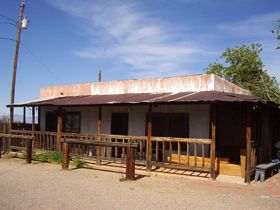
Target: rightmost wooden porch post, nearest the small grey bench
x=248 y=144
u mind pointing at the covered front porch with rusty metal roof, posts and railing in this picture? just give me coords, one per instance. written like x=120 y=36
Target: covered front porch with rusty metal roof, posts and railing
x=211 y=132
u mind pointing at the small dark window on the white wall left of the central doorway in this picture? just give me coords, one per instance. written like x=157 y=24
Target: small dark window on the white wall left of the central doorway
x=72 y=122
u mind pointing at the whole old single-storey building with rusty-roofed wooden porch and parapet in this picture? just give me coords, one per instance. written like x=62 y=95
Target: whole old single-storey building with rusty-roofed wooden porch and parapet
x=198 y=123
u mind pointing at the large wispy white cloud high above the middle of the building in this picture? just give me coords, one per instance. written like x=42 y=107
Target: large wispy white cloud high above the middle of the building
x=121 y=31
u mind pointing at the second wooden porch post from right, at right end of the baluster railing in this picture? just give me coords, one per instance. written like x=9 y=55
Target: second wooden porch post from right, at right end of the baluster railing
x=213 y=141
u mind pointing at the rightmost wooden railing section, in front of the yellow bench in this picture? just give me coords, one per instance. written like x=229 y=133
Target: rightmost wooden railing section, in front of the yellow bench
x=181 y=153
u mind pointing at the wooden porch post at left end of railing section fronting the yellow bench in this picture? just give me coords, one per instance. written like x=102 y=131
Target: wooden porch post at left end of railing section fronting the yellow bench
x=149 y=140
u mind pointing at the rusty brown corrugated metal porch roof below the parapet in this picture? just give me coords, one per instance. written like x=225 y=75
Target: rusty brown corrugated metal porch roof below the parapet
x=138 y=98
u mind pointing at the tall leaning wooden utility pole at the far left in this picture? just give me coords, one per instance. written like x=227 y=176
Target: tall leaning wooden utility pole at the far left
x=12 y=99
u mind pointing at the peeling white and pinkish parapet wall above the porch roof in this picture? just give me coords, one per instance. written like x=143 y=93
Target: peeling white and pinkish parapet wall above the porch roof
x=195 y=83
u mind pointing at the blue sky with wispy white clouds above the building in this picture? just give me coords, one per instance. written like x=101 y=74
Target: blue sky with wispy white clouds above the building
x=68 y=41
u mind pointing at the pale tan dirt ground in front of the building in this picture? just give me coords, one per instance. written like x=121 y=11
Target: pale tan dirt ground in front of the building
x=46 y=186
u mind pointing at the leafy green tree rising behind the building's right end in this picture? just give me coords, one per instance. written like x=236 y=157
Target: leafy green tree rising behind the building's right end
x=244 y=67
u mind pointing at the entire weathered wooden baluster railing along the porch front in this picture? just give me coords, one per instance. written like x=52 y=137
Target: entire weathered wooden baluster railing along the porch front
x=178 y=153
